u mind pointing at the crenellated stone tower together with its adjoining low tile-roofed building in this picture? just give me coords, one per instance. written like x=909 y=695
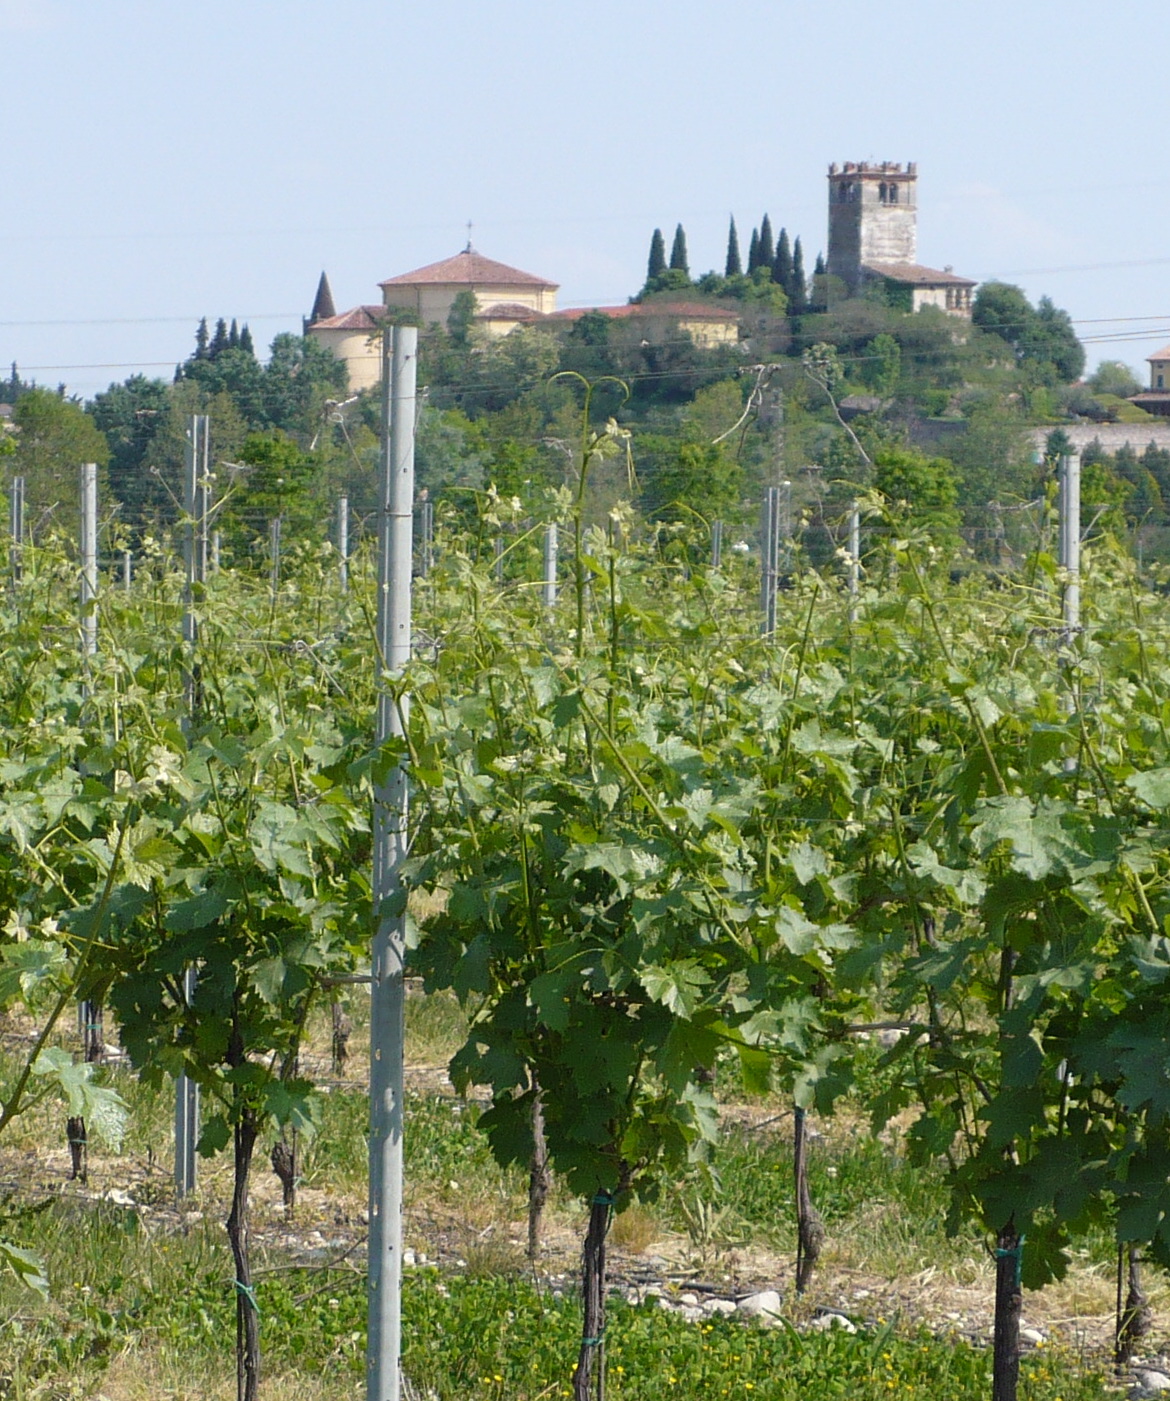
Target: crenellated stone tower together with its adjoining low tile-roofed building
x=874 y=239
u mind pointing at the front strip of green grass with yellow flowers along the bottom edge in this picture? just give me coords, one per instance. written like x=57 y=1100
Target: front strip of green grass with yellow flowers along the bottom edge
x=472 y=1337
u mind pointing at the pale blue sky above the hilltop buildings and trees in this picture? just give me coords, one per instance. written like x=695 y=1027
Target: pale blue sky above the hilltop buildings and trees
x=166 y=162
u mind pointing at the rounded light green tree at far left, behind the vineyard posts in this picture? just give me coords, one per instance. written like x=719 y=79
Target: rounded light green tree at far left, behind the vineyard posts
x=55 y=436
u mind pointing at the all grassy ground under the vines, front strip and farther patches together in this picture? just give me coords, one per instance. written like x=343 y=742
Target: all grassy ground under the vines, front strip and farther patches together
x=123 y=1287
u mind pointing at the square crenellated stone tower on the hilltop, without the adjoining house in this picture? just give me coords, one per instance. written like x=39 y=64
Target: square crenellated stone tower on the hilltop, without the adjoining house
x=872 y=218
